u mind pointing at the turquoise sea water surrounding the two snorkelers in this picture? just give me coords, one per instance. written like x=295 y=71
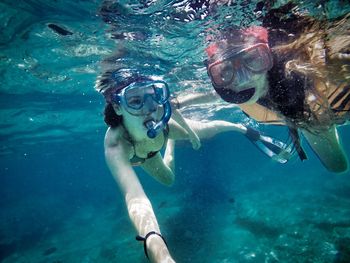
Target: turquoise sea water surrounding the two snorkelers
x=230 y=203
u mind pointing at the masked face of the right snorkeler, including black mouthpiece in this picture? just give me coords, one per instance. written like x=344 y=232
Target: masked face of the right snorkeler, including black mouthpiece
x=239 y=76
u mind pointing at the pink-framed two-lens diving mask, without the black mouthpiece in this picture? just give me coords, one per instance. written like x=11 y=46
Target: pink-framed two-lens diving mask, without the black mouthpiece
x=234 y=66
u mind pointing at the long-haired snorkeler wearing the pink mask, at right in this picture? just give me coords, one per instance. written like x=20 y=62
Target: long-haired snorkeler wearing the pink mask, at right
x=300 y=80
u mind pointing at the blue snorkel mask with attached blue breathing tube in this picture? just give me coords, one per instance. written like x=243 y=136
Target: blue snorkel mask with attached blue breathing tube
x=143 y=98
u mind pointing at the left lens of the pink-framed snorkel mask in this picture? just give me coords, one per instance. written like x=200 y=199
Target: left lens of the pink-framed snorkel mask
x=222 y=73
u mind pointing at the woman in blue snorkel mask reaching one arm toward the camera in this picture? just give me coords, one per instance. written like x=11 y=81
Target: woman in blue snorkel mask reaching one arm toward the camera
x=142 y=124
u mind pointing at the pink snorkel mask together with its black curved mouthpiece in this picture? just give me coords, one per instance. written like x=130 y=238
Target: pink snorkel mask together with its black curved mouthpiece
x=233 y=59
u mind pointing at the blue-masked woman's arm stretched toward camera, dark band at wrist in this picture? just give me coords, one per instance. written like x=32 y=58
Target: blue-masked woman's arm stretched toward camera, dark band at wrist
x=138 y=205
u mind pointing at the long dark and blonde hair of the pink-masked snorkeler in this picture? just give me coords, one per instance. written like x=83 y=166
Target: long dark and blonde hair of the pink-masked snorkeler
x=305 y=50
